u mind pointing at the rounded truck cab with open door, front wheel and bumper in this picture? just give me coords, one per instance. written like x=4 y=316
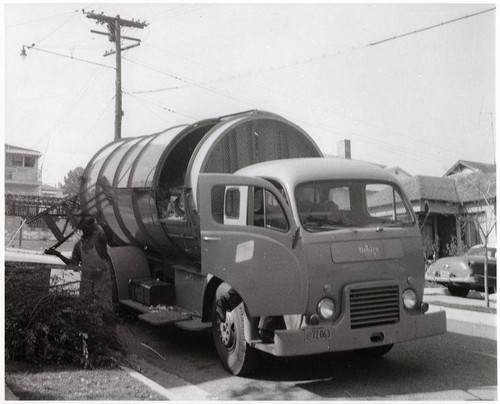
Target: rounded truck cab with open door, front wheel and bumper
x=325 y=251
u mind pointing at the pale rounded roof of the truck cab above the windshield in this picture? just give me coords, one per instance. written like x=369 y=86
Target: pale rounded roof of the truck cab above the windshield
x=292 y=172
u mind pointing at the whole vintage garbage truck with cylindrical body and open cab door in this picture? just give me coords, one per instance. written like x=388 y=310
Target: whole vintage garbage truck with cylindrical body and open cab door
x=240 y=223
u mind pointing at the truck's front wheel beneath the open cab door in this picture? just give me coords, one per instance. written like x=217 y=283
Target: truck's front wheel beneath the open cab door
x=228 y=329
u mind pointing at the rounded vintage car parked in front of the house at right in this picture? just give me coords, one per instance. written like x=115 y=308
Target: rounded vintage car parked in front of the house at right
x=461 y=274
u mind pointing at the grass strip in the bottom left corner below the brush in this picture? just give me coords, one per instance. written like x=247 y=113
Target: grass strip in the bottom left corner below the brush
x=63 y=382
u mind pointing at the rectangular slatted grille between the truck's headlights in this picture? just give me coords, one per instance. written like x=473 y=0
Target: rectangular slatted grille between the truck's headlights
x=374 y=306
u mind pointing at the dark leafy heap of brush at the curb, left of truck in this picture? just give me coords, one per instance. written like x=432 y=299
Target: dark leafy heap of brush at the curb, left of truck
x=50 y=324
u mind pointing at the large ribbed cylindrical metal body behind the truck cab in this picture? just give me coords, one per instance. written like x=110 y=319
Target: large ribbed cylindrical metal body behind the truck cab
x=143 y=190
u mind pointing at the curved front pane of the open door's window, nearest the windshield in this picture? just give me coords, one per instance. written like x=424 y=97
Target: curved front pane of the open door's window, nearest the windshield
x=267 y=211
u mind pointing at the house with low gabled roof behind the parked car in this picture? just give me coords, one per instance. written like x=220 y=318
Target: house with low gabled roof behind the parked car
x=462 y=206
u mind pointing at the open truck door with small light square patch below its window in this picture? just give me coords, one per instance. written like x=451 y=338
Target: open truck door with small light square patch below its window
x=247 y=240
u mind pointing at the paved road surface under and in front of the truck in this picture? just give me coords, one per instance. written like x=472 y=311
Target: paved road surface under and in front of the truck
x=448 y=367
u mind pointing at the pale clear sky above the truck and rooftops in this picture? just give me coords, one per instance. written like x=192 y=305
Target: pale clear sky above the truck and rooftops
x=420 y=101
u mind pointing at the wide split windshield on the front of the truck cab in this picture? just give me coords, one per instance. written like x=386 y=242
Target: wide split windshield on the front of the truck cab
x=333 y=205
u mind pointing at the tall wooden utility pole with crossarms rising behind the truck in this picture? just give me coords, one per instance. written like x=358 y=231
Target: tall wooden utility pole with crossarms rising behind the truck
x=114 y=25
